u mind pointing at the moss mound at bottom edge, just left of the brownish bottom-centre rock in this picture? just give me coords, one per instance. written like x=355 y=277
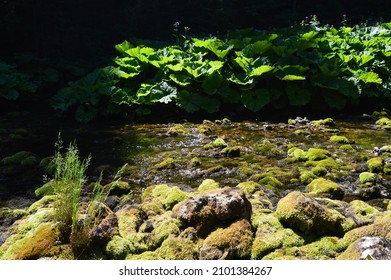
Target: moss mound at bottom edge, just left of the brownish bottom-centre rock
x=176 y=248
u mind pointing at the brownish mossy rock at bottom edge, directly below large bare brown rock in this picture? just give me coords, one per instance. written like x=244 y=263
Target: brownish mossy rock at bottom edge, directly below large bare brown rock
x=233 y=242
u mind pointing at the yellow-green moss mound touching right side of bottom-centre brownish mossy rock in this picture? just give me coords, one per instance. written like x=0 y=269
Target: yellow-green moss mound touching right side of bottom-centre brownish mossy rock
x=268 y=239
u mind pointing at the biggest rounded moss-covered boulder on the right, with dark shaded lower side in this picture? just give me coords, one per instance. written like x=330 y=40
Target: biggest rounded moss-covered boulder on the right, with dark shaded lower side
x=304 y=214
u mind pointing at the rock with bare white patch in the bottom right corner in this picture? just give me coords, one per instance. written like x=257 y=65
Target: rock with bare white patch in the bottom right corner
x=368 y=247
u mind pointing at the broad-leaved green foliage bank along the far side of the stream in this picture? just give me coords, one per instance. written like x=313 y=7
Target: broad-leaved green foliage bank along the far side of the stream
x=252 y=68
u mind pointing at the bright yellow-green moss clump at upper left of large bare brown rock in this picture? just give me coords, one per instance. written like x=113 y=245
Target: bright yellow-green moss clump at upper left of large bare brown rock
x=169 y=196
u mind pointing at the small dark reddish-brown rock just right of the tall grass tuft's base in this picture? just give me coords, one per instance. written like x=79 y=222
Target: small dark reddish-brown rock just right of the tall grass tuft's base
x=103 y=233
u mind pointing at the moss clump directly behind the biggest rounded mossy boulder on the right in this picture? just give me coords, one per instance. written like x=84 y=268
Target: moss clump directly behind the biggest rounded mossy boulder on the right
x=325 y=188
